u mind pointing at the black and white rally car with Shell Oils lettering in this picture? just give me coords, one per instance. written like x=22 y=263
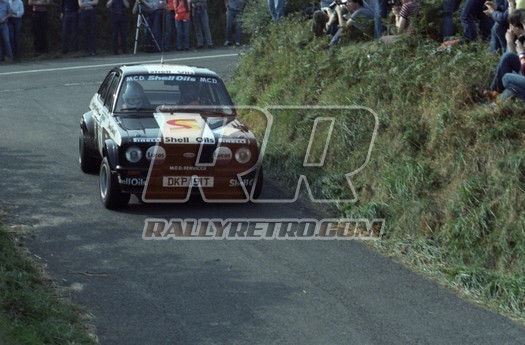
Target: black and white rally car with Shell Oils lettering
x=165 y=132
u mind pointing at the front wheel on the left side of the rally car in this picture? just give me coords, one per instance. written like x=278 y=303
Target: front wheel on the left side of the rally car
x=110 y=193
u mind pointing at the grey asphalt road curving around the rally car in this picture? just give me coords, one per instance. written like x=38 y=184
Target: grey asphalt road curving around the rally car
x=199 y=292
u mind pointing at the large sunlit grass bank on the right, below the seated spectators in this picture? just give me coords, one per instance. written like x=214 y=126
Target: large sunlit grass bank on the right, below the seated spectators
x=447 y=172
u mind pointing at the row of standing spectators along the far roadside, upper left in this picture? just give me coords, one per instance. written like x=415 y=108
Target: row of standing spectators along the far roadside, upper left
x=162 y=21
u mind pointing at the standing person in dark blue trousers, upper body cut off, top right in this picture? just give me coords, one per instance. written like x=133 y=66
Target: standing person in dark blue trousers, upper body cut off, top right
x=473 y=12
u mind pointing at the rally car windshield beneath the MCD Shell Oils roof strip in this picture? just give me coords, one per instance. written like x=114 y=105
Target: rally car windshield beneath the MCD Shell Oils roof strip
x=148 y=92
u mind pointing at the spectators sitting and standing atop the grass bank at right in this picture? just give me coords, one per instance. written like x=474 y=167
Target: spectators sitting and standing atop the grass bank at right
x=500 y=23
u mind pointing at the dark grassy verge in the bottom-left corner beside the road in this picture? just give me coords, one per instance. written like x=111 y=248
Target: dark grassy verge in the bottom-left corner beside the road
x=30 y=310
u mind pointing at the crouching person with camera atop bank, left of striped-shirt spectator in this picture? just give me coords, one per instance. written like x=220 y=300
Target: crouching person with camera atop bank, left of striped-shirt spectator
x=357 y=23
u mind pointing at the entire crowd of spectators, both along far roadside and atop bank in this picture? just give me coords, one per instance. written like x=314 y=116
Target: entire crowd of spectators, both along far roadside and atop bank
x=498 y=22
